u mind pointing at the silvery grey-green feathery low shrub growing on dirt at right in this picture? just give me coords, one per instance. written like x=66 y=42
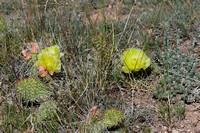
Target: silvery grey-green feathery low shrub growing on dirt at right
x=179 y=75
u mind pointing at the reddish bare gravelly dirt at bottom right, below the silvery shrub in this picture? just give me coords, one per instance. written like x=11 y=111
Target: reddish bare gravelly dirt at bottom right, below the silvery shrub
x=190 y=124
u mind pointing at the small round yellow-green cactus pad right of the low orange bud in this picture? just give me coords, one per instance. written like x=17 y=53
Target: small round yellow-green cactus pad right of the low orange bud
x=112 y=117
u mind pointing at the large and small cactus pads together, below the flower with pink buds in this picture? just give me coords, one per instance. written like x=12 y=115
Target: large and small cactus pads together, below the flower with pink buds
x=34 y=90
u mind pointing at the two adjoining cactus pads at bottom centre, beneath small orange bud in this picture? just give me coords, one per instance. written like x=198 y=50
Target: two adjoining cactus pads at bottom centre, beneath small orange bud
x=111 y=118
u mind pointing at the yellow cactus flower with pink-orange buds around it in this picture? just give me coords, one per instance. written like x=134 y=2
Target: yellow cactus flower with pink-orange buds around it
x=49 y=59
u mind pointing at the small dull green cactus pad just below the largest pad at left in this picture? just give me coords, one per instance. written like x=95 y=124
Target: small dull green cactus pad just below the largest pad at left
x=46 y=111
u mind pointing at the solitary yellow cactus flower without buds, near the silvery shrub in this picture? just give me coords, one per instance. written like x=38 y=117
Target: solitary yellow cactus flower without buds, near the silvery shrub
x=134 y=60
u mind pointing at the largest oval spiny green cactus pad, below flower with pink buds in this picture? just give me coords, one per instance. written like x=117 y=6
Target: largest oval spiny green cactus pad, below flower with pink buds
x=32 y=89
